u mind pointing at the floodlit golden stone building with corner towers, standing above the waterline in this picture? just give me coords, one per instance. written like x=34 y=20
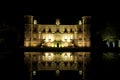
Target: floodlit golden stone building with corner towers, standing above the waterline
x=57 y=35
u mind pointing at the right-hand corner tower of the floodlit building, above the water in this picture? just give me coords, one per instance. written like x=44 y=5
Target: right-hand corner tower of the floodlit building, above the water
x=83 y=32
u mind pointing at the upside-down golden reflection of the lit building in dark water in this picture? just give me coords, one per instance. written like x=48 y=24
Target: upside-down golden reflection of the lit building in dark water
x=57 y=60
